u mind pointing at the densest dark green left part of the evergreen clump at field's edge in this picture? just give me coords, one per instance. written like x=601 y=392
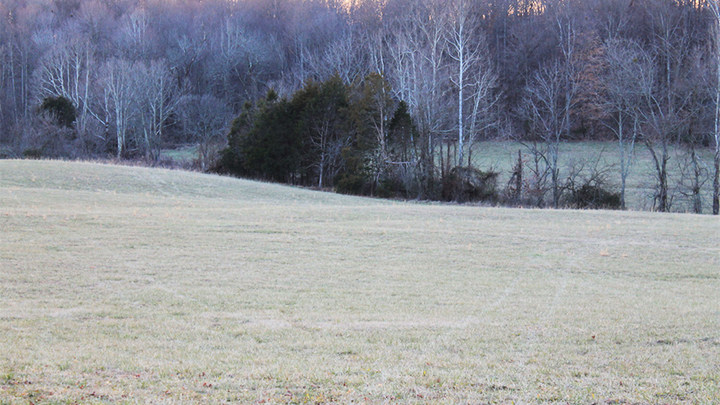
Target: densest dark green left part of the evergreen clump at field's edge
x=297 y=141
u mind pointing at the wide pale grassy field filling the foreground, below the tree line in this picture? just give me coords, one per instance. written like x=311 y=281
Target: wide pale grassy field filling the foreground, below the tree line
x=134 y=285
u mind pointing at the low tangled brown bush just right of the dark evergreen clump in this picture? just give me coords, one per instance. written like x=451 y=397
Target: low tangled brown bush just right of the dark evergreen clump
x=466 y=184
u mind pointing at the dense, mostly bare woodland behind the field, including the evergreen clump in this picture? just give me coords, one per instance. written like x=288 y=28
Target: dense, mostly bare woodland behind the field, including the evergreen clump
x=380 y=97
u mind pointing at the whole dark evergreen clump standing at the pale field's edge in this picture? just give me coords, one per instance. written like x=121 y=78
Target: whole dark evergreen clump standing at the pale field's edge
x=354 y=138
